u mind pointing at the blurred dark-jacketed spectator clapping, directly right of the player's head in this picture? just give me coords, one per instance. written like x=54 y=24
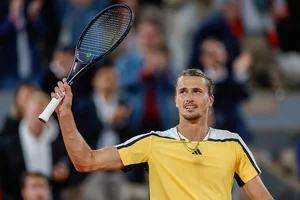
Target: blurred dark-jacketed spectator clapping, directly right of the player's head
x=230 y=88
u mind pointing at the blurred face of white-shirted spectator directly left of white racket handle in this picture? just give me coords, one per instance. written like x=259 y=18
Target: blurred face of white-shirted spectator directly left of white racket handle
x=35 y=106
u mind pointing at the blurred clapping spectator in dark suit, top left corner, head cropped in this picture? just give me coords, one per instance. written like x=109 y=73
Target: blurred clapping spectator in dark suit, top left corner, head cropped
x=21 y=30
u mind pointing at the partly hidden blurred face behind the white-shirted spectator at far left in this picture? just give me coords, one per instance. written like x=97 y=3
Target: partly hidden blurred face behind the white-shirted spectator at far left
x=21 y=99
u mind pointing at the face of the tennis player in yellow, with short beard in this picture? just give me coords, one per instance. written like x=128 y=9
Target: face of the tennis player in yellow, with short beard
x=192 y=98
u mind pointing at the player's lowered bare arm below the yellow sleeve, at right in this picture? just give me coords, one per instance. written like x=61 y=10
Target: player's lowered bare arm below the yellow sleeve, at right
x=256 y=190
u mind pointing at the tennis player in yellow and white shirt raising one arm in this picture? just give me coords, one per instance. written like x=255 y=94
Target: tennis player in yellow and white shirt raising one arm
x=189 y=161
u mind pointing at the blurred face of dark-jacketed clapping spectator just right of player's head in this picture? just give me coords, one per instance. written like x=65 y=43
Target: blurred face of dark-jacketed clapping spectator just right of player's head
x=213 y=53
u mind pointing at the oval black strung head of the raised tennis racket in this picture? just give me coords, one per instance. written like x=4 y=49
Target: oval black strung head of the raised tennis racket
x=103 y=34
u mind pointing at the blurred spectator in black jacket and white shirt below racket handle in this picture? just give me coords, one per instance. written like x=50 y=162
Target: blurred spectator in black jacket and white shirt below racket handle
x=35 y=147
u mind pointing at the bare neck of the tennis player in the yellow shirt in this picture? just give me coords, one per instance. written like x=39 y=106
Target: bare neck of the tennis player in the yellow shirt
x=193 y=131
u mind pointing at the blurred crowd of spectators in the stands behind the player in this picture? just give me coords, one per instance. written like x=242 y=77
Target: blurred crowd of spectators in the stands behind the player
x=240 y=44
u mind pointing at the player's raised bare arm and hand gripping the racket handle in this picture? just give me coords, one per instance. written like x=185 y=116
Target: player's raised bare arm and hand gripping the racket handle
x=83 y=157
